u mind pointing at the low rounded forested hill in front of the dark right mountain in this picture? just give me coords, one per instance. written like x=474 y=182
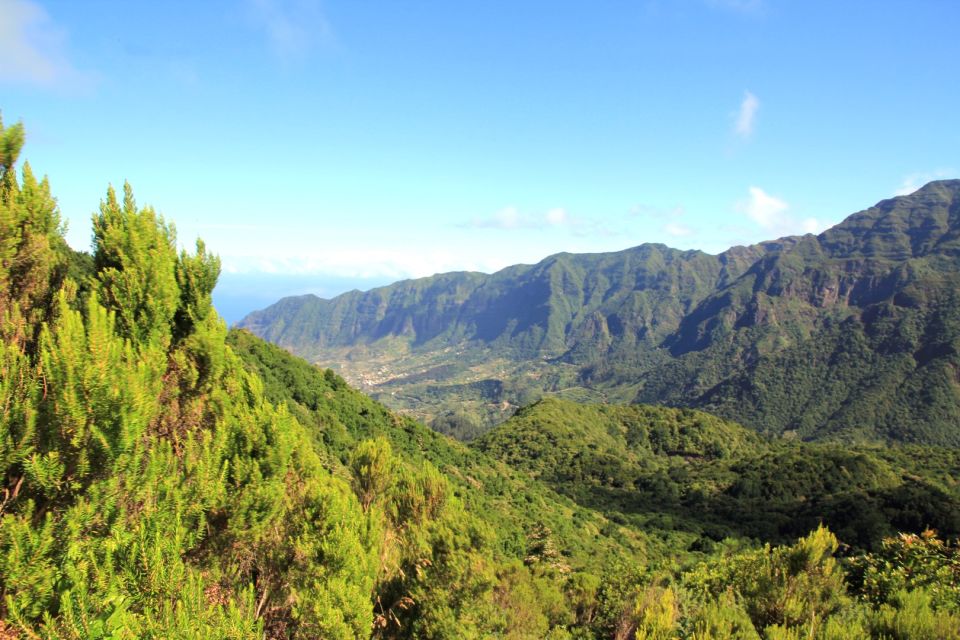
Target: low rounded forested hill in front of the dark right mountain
x=688 y=470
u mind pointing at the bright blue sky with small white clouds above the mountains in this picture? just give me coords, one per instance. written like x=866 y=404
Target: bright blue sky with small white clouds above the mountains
x=322 y=145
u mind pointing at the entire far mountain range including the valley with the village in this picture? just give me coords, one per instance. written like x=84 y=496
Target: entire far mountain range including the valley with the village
x=851 y=335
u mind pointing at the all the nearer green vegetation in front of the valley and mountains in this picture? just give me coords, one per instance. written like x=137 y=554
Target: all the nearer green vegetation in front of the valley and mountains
x=163 y=477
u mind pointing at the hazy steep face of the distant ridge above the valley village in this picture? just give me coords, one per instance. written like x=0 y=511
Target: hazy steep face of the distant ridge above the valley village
x=529 y=311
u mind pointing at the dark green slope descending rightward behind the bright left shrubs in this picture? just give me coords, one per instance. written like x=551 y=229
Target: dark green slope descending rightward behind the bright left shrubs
x=340 y=418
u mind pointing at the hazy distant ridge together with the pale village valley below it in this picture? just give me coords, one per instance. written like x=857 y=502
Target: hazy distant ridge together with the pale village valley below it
x=462 y=350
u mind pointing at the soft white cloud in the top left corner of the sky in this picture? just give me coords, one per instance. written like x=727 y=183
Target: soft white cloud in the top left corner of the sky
x=32 y=48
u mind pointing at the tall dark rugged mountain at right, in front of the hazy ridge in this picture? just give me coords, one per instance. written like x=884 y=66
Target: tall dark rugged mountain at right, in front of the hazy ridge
x=853 y=333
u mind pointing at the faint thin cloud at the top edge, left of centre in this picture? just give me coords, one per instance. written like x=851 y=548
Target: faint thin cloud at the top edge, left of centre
x=293 y=28
